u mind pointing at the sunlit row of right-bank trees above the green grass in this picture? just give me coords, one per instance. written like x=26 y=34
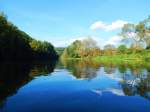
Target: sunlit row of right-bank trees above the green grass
x=135 y=39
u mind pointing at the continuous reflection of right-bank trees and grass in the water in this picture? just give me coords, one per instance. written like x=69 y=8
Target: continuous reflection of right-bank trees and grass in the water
x=135 y=78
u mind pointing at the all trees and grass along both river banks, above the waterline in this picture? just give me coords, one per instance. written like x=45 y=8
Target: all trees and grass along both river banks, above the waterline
x=16 y=45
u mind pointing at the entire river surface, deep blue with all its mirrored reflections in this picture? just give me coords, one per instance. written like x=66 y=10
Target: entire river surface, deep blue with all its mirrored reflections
x=75 y=86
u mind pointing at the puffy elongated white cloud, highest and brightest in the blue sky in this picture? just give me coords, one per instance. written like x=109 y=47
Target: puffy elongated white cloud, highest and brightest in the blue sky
x=108 y=27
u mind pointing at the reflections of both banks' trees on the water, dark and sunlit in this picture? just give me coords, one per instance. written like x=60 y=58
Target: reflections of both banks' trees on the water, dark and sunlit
x=135 y=78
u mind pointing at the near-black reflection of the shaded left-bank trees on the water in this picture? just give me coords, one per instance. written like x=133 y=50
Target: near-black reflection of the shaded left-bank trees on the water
x=14 y=75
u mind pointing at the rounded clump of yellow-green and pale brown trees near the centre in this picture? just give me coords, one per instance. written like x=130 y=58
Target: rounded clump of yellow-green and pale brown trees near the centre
x=81 y=49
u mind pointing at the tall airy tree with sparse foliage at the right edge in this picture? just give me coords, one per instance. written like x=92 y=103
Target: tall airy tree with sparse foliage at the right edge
x=137 y=34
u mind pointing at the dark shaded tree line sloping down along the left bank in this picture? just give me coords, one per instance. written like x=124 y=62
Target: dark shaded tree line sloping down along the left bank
x=17 y=45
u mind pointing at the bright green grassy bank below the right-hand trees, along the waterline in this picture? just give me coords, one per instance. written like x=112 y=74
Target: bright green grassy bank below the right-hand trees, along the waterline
x=134 y=57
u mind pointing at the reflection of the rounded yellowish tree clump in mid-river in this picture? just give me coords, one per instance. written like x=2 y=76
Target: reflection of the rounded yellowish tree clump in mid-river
x=85 y=69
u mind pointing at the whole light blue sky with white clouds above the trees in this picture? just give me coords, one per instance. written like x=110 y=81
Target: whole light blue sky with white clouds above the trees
x=62 y=21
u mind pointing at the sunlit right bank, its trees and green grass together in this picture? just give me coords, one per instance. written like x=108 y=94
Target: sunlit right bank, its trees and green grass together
x=134 y=47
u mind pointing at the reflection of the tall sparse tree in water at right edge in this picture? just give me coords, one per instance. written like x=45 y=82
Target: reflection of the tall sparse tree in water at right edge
x=136 y=82
